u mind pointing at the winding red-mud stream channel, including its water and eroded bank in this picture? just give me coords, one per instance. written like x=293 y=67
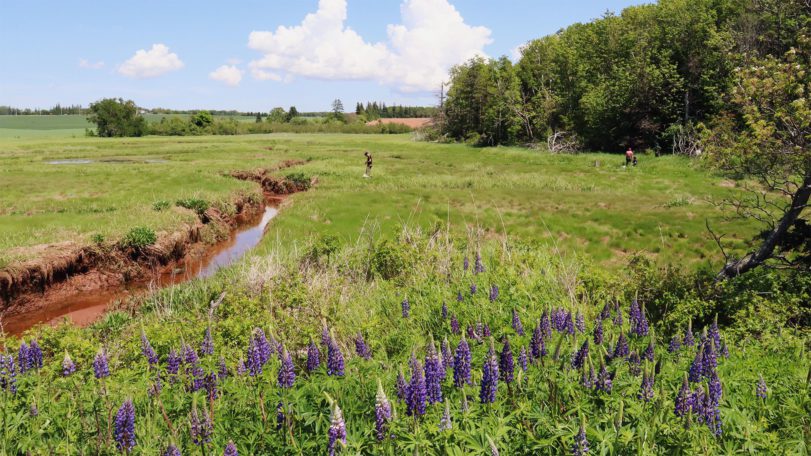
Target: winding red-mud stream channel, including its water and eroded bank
x=82 y=285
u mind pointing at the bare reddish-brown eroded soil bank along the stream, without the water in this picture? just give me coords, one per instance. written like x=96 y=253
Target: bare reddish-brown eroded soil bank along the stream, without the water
x=49 y=282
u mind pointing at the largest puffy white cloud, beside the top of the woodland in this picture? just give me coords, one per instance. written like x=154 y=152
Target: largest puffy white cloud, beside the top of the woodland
x=431 y=37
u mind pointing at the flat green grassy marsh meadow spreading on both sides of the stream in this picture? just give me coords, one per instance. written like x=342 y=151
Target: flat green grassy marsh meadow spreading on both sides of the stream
x=580 y=203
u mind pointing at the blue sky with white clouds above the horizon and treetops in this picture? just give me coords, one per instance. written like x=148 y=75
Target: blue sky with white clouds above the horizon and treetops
x=204 y=54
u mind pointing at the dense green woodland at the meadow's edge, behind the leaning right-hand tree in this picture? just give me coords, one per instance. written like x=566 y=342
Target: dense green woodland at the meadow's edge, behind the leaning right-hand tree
x=639 y=79
